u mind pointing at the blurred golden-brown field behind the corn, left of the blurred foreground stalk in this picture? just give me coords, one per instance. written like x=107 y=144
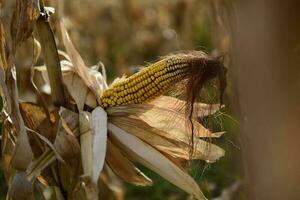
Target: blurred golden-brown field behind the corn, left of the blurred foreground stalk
x=126 y=35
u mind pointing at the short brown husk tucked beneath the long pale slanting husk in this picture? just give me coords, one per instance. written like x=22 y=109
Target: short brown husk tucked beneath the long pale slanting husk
x=124 y=168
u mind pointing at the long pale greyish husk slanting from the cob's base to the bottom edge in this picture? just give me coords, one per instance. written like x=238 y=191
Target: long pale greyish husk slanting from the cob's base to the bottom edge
x=154 y=160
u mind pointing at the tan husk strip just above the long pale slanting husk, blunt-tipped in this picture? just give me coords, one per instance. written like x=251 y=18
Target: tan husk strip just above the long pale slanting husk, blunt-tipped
x=171 y=145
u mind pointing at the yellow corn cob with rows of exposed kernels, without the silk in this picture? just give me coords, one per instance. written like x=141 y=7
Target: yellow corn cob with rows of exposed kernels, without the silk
x=148 y=83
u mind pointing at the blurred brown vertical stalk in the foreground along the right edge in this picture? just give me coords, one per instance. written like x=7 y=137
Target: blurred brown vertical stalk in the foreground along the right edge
x=266 y=78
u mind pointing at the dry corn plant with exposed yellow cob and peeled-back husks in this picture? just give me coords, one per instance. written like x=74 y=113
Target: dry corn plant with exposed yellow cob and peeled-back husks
x=94 y=133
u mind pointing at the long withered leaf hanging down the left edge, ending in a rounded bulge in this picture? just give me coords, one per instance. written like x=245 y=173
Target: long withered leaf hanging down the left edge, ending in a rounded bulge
x=22 y=154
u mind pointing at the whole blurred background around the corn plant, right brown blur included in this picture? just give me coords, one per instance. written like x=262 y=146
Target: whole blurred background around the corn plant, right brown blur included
x=258 y=42
